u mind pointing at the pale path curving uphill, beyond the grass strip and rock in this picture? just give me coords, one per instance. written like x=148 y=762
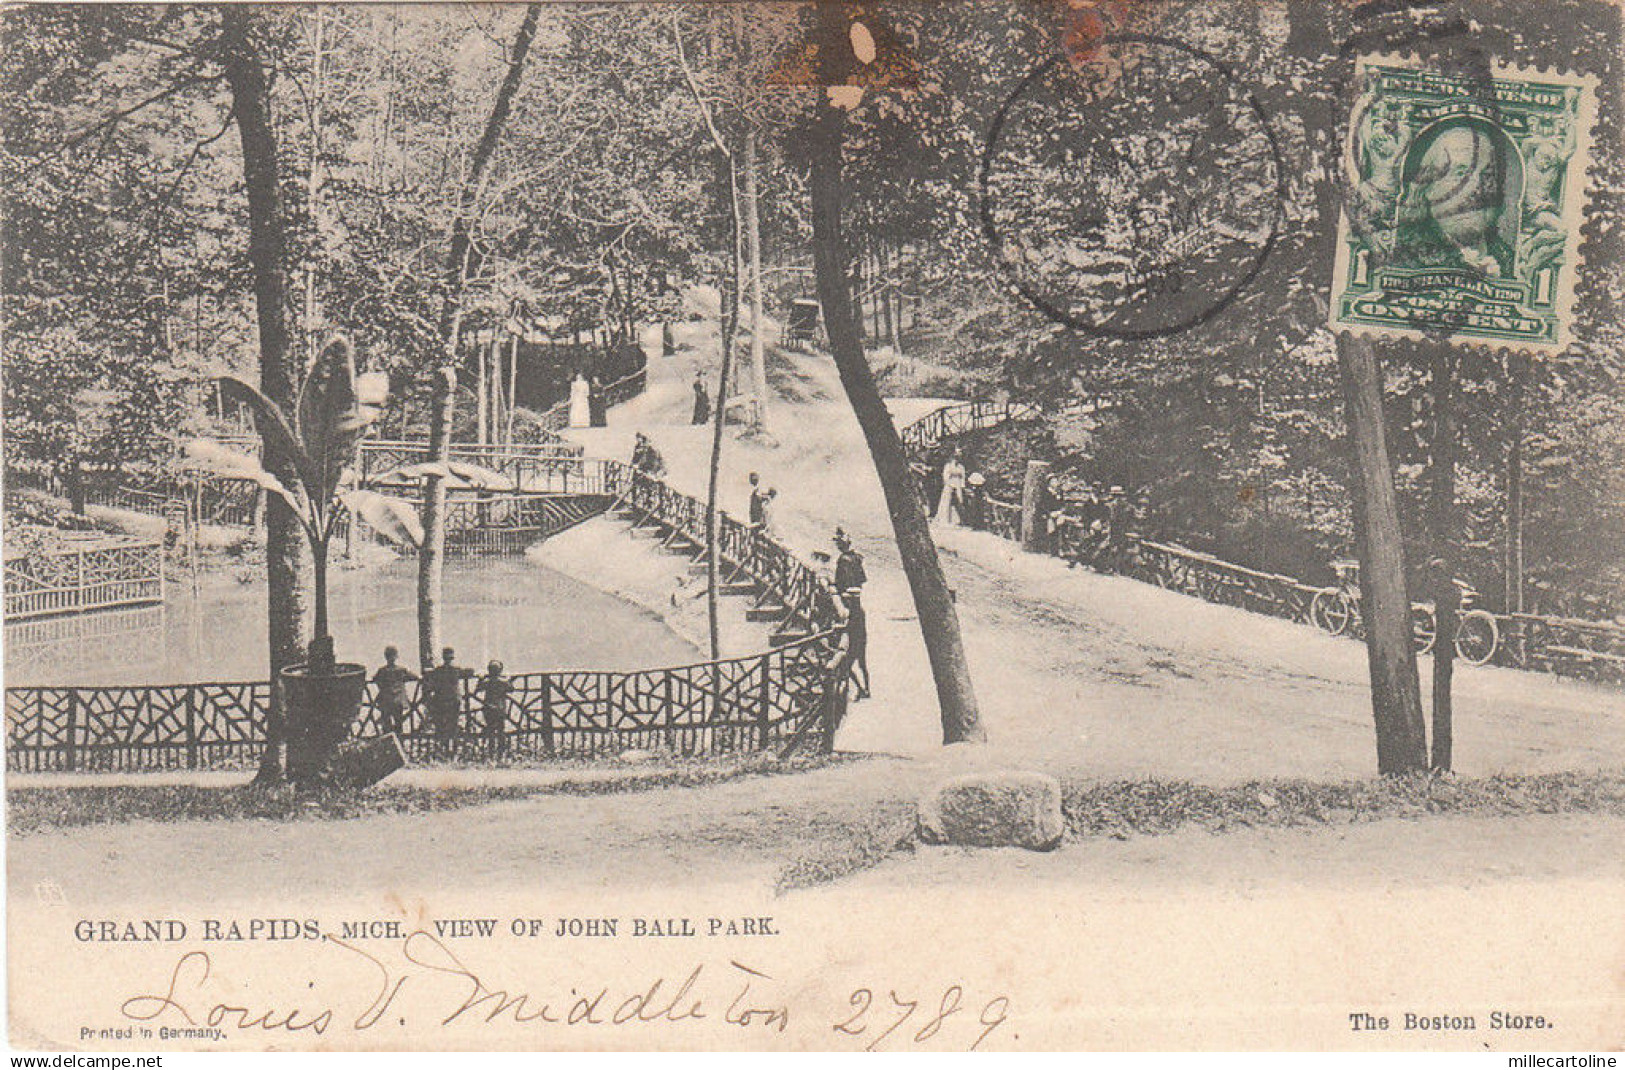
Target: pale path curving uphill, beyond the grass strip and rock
x=1088 y=672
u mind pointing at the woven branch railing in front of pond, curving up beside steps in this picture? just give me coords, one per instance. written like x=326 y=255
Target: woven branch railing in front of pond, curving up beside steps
x=791 y=697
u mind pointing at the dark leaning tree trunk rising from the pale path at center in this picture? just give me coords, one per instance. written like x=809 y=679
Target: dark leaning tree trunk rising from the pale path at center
x=934 y=602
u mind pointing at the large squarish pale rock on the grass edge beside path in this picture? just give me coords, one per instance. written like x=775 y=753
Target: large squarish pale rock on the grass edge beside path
x=994 y=811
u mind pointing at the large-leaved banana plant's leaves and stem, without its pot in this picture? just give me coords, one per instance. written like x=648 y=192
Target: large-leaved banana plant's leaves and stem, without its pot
x=334 y=411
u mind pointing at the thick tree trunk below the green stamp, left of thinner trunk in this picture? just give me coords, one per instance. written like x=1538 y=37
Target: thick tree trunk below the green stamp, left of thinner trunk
x=1397 y=692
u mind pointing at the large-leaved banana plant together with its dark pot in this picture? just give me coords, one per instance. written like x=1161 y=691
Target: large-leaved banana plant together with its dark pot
x=336 y=407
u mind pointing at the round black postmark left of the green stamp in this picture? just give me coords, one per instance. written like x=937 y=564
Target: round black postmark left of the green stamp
x=1133 y=196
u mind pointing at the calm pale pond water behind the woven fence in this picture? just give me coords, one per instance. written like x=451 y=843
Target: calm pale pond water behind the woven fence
x=508 y=609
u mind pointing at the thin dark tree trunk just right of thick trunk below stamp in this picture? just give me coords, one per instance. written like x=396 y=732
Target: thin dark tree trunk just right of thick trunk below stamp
x=1445 y=555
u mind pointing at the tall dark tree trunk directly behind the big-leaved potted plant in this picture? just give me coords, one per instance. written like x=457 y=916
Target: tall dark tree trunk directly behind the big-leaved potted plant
x=285 y=550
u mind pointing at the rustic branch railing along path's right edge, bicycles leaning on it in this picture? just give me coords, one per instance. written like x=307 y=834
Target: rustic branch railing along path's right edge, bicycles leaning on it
x=1585 y=650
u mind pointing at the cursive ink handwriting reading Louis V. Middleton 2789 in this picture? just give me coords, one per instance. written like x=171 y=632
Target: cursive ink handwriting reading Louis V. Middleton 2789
x=472 y=999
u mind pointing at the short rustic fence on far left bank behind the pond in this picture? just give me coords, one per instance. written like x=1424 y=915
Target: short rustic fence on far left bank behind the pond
x=95 y=573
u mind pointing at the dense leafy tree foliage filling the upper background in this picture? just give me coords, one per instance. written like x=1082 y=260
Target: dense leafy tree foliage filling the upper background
x=126 y=285
